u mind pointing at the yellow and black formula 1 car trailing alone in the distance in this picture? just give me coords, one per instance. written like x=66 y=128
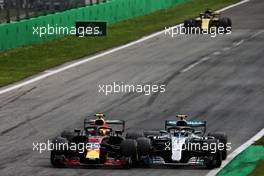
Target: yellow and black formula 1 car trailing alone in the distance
x=209 y=21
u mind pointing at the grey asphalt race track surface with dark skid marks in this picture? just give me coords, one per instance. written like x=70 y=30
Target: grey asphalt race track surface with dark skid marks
x=216 y=79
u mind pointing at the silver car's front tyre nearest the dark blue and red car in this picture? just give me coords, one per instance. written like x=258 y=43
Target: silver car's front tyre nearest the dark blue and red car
x=143 y=146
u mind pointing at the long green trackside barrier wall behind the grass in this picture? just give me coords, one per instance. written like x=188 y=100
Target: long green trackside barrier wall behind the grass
x=20 y=33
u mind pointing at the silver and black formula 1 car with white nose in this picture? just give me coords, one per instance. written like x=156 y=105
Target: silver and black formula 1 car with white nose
x=182 y=143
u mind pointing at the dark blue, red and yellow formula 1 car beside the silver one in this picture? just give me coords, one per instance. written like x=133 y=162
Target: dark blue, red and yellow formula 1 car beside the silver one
x=98 y=144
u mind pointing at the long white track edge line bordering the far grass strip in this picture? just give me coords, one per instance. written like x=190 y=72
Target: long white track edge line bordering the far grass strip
x=47 y=74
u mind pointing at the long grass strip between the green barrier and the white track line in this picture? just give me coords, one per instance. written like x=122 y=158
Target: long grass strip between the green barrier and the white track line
x=17 y=64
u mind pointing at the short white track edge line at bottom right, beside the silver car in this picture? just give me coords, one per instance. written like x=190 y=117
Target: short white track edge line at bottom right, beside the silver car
x=237 y=151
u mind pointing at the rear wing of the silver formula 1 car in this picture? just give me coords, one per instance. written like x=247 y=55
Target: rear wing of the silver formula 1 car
x=190 y=123
